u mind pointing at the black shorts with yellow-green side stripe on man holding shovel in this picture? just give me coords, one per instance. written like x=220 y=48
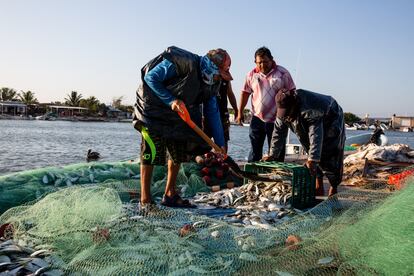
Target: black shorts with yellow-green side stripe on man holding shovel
x=154 y=150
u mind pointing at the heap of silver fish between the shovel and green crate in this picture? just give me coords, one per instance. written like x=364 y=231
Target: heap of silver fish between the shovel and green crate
x=257 y=203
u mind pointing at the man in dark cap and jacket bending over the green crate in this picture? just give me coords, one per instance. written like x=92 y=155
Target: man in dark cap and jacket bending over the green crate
x=318 y=121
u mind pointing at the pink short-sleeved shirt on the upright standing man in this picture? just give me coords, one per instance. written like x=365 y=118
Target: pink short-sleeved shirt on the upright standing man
x=264 y=88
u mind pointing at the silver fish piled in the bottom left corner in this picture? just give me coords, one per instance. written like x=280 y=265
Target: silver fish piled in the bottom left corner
x=16 y=258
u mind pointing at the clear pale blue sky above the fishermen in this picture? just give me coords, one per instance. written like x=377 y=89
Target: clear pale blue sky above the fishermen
x=360 y=52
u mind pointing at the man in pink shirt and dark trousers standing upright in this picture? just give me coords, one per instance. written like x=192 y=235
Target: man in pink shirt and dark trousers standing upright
x=263 y=83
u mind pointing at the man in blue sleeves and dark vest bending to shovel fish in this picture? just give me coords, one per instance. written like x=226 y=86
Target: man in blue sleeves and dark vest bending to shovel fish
x=173 y=78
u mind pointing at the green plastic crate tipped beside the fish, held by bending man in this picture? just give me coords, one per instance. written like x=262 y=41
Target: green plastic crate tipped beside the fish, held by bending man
x=303 y=184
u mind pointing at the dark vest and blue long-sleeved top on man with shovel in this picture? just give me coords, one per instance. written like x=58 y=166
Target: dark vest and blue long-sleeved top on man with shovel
x=175 y=74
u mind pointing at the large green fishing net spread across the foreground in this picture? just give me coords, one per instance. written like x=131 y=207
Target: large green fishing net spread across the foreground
x=94 y=230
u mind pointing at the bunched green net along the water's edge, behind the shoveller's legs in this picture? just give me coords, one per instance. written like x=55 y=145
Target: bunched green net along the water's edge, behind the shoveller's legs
x=20 y=188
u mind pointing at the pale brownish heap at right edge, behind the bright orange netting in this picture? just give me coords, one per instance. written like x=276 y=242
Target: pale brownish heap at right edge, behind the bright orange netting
x=376 y=163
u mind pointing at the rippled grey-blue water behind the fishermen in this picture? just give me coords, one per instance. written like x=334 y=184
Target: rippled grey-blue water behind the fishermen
x=34 y=144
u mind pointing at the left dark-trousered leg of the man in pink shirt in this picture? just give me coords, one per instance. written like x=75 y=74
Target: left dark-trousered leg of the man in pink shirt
x=257 y=134
